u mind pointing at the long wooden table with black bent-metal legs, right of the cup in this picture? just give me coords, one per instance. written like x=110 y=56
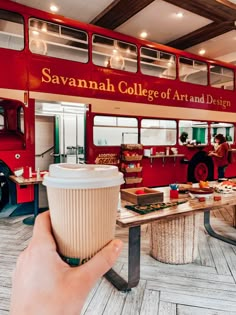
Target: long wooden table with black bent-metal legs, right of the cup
x=133 y=221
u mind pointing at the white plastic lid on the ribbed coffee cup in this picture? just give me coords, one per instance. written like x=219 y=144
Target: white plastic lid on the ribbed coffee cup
x=66 y=175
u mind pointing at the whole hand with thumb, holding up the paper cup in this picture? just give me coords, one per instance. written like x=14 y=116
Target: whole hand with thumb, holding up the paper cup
x=44 y=284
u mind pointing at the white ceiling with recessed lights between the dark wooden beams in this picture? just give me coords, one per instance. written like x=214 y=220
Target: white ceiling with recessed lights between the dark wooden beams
x=158 y=19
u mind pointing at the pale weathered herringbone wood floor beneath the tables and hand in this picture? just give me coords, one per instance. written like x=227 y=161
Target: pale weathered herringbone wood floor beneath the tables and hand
x=206 y=287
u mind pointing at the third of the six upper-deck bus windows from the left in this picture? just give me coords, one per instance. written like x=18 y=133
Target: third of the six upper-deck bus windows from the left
x=111 y=53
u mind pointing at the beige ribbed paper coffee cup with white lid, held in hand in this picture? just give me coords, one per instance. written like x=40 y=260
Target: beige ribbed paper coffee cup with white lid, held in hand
x=83 y=203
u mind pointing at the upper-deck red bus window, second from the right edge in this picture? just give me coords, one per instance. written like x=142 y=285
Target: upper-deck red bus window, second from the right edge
x=192 y=71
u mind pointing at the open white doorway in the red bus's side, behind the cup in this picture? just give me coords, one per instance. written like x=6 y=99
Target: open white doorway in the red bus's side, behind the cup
x=60 y=133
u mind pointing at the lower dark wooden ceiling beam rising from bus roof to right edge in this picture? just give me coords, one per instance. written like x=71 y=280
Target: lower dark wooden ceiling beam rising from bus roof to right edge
x=201 y=35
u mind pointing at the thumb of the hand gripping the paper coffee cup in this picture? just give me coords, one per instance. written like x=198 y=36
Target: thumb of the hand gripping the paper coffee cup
x=96 y=267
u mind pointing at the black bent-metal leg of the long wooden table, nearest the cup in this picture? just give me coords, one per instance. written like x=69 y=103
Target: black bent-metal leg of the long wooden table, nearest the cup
x=133 y=264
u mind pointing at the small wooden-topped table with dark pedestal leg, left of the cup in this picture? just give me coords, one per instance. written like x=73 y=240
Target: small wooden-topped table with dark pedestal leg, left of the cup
x=31 y=181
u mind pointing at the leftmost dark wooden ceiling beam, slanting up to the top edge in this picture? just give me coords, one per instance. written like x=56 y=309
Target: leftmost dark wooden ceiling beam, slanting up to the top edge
x=119 y=12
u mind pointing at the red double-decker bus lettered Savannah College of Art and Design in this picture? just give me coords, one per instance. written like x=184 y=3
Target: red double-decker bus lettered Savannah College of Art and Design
x=75 y=92
